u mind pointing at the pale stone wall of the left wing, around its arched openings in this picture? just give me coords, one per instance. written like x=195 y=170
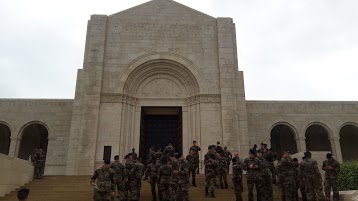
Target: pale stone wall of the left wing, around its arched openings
x=55 y=115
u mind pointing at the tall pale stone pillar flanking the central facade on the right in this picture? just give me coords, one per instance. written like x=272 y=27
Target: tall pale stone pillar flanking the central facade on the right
x=228 y=68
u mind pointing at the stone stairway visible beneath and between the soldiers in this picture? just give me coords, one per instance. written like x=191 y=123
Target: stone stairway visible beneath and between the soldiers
x=77 y=188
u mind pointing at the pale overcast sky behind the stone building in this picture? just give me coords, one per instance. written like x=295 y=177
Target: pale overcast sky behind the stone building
x=288 y=49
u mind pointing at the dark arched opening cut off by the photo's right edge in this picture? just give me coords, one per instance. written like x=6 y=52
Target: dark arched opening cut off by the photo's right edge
x=348 y=139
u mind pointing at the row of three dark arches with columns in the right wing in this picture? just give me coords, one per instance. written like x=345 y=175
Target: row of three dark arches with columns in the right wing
x=317 y=137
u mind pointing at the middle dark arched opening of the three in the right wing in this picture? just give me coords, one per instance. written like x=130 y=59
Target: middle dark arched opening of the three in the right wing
x=317 y=138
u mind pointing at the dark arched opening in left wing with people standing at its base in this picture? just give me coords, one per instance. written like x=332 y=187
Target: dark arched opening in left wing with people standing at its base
x=34 y=135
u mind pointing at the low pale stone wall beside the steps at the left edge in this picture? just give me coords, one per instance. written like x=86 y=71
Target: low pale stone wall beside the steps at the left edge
x=14 y=173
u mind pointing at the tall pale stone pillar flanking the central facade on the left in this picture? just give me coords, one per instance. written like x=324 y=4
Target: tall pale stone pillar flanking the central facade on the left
x=85 y=115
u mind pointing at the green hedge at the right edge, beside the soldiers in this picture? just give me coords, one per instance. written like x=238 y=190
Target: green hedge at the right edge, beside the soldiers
x=348 y=178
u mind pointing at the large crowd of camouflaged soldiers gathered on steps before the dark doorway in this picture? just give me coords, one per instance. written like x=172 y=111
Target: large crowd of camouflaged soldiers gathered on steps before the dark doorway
x=169 y=174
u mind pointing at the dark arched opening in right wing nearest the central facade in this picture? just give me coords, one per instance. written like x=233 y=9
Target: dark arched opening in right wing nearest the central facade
x=282 y=139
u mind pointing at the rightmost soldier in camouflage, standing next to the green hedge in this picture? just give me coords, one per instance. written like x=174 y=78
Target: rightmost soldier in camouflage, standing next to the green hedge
x=332 y=169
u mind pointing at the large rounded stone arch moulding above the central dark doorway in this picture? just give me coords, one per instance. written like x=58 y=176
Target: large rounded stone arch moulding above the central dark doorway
x=164 y=63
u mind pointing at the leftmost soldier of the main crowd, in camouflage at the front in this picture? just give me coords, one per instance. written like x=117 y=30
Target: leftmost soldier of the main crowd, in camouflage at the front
x=103 y=182
